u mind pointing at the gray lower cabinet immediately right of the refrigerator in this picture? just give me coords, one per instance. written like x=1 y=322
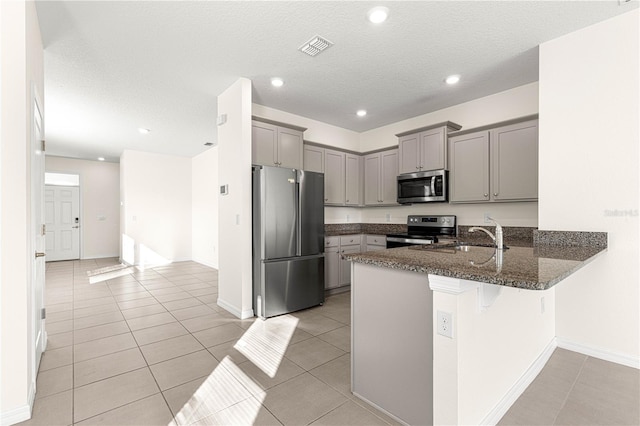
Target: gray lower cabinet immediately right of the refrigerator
x=337 y=271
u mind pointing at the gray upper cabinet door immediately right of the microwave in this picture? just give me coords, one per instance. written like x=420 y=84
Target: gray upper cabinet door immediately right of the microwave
x=469 y=174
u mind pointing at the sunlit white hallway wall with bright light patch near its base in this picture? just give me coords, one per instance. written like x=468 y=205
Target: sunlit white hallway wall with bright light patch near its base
x=156 y=206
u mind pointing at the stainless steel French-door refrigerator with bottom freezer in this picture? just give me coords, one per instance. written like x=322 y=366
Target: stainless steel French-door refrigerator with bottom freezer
x=288 y=240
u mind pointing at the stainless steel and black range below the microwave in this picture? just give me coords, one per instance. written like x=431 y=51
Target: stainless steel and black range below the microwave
x=423 y=230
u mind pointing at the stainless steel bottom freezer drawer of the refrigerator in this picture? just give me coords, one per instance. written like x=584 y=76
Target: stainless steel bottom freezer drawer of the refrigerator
x=289 y=285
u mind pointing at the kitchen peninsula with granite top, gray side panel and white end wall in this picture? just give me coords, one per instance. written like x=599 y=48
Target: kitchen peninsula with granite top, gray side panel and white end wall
x=475 y=325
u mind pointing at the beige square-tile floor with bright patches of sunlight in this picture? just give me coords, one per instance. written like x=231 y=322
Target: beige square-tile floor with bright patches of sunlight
x=153 y=348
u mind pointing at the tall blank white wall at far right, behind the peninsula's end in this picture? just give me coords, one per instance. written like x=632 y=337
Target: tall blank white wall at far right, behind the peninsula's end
x=589 y=120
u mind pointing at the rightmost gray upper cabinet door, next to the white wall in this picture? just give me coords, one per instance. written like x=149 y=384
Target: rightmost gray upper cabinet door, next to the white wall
x=514 y=162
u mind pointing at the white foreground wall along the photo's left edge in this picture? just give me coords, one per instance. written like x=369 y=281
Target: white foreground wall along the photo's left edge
x=21 y=74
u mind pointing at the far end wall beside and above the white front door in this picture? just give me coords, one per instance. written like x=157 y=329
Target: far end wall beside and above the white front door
x=100 y=197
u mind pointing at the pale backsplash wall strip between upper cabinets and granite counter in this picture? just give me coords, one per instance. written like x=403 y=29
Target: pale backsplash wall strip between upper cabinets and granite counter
x=507 y=214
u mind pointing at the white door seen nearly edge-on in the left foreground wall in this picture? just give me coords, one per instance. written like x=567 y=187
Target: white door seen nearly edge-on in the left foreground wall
x=38 y=236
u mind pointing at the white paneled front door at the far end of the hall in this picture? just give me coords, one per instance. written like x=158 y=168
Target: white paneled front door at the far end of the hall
x=62 y=215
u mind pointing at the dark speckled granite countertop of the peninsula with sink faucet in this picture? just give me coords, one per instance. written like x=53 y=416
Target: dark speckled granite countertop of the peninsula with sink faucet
x=533 y=267
